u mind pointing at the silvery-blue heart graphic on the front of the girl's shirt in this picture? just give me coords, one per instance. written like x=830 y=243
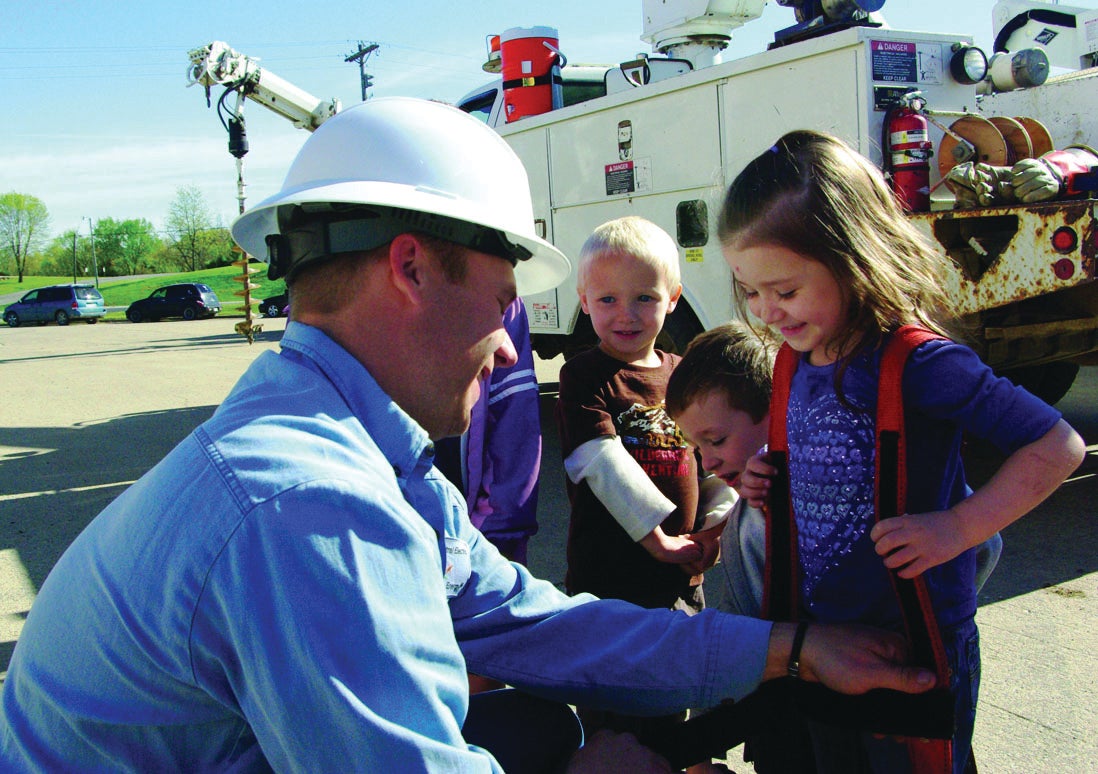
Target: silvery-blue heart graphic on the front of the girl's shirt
x=832 y=453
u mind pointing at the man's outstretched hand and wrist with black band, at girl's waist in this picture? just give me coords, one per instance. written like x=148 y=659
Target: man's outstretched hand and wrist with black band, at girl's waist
x=848 y=658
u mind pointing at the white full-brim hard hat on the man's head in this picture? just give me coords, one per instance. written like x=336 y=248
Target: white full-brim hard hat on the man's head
x=432 y=166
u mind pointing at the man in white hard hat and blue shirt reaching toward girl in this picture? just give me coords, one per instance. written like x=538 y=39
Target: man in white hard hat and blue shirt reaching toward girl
x=295 y=587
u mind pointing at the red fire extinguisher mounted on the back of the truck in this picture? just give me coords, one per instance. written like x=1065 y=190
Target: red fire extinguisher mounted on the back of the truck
x=907 y=153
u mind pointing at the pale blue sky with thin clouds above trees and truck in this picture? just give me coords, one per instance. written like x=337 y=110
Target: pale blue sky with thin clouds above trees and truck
x=98 y=121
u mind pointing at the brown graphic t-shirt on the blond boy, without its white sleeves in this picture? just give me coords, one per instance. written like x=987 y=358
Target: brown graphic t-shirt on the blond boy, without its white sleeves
x=603 y=397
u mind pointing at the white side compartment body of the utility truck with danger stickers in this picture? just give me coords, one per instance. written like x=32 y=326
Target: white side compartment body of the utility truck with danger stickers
x=692 y=133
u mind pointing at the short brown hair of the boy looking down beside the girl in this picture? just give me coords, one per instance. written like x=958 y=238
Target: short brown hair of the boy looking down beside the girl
x=734 y=360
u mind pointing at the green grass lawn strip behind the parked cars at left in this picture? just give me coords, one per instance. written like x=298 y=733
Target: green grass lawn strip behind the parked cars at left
x=125 y=293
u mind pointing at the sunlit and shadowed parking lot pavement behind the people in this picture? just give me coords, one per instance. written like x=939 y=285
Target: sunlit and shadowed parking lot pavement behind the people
x=88 y=409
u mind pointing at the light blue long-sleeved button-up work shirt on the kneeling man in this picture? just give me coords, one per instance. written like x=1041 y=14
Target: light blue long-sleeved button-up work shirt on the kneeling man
x=295 y=587
